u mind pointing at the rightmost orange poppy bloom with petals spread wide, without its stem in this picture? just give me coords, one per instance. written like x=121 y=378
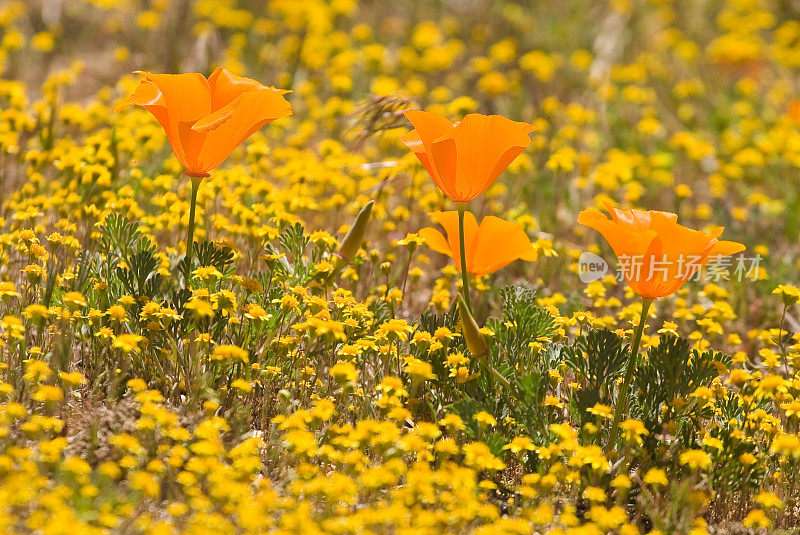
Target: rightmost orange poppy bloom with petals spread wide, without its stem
x=657 y=255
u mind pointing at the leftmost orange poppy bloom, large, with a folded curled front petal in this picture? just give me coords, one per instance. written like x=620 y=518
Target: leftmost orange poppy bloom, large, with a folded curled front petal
x=205 y=119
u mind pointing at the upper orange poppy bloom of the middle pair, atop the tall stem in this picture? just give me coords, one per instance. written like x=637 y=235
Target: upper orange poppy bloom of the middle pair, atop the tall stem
x=465 y=158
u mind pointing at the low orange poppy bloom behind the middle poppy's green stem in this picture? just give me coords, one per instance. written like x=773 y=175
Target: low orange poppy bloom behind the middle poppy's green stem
x=493 y=244
